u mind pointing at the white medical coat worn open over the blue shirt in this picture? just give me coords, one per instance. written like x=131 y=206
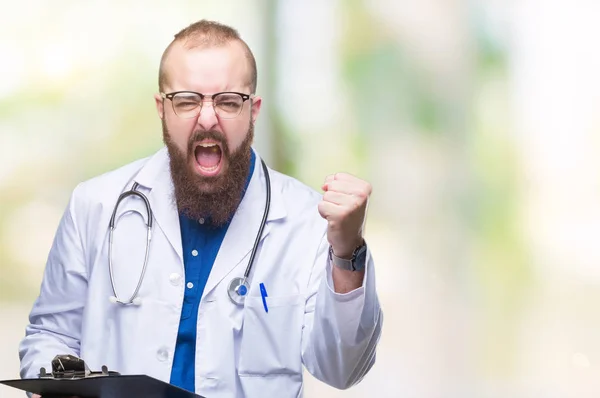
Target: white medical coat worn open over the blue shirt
x=241 y=351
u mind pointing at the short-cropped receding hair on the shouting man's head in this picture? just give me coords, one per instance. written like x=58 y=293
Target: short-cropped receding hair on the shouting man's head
x=206 y=33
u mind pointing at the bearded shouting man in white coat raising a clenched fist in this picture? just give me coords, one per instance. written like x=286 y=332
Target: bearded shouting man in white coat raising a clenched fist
x=309 y=298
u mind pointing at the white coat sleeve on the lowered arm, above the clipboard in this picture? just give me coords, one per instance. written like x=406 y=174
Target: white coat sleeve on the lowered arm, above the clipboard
x=55 y=320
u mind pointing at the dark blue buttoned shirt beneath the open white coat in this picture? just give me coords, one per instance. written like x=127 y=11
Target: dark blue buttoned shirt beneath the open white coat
x=200 y=243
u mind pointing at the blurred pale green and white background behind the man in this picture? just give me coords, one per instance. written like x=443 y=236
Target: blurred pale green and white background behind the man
x=476 y=122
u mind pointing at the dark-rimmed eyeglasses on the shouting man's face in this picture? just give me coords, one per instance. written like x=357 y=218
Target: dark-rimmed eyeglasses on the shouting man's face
x=188 y=104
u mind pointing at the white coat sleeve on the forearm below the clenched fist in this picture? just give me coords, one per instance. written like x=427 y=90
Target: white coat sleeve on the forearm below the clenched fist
x=341 y=331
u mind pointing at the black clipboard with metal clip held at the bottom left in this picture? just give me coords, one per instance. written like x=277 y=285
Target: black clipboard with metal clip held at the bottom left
x=75 y=379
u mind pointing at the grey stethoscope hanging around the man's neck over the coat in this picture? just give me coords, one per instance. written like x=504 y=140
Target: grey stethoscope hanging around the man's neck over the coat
x=238 y=287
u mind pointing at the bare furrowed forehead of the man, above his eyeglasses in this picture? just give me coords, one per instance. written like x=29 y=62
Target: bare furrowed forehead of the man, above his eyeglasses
x=207 y=69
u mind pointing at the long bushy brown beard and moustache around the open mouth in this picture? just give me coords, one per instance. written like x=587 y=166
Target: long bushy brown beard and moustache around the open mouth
x=212 y=198
